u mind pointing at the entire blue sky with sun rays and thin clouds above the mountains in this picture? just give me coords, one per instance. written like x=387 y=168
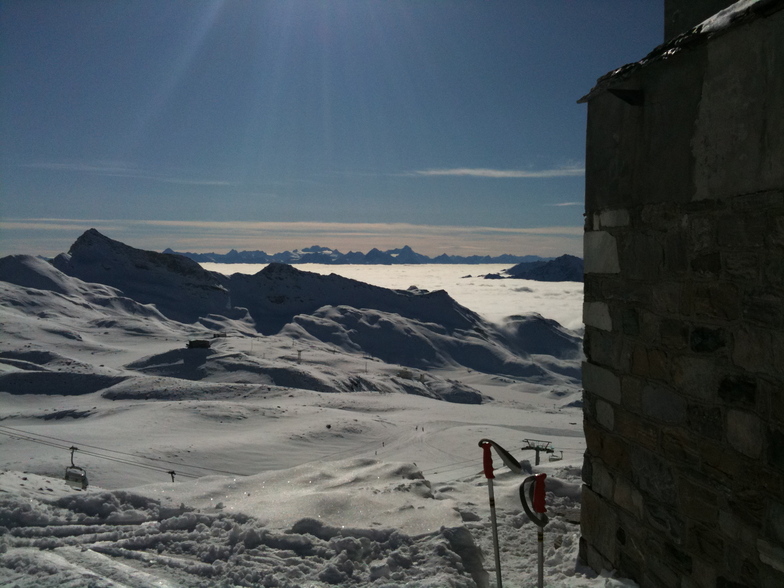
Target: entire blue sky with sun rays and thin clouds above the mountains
x=450 y=126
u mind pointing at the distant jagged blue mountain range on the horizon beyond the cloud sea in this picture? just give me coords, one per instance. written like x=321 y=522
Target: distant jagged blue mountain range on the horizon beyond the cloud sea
x=326 y=255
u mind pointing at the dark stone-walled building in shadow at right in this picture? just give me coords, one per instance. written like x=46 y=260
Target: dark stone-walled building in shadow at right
x=684 y=305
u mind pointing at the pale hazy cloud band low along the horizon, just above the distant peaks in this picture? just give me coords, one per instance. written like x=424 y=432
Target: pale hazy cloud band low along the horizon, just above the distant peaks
x=24 y=236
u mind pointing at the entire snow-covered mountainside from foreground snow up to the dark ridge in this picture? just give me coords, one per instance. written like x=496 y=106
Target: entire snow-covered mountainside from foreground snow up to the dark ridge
x=340 y=450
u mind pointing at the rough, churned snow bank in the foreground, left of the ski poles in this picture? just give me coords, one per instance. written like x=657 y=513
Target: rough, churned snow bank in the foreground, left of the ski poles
x=127 y=538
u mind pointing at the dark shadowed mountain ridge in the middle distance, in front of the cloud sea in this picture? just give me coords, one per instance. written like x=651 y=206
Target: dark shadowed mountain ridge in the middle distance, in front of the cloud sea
x=413 y=328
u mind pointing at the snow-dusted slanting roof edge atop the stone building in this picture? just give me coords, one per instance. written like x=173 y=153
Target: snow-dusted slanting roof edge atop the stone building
x=741 y=12
